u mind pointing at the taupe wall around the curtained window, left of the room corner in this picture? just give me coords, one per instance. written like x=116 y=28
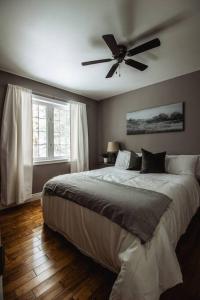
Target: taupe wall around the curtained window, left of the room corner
x=43 y=172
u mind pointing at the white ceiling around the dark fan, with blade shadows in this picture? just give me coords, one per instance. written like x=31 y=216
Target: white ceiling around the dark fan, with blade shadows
x=47 y=41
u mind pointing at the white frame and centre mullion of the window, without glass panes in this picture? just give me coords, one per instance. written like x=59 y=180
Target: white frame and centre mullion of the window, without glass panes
x=50 y=104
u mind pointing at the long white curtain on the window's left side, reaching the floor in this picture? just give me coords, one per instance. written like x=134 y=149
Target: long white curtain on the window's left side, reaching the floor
x=16 y=146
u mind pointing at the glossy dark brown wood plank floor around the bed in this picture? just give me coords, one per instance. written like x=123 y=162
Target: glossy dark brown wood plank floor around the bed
x=40 y=264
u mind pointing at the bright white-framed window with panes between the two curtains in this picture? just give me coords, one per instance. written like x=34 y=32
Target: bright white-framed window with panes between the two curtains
x=51 y=130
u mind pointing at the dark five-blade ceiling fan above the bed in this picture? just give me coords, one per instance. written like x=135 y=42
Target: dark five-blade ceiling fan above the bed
x=120 y=52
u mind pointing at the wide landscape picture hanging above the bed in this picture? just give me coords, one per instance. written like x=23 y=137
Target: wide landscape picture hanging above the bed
x=165 y=118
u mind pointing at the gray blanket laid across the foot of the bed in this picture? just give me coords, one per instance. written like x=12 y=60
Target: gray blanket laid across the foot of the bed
x=134 y=209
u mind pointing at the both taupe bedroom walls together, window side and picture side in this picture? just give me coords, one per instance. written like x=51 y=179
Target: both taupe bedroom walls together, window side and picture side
x=111 y=117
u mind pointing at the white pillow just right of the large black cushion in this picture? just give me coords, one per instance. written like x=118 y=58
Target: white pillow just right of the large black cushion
x=181 y=164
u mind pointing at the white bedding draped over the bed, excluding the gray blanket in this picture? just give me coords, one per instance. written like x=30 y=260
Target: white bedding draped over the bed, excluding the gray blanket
x=144 y=271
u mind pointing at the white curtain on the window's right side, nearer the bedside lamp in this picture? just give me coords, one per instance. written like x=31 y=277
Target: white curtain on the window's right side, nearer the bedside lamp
x=79 y=138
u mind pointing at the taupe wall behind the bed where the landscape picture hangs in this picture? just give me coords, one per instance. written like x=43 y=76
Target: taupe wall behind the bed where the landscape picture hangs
x=112 y=116
